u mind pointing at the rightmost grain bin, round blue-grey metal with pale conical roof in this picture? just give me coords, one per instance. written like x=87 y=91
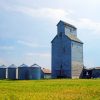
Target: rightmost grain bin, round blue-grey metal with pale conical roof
x=35 y=72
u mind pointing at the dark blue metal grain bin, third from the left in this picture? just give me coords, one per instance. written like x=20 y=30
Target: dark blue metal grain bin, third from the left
x=23 y=72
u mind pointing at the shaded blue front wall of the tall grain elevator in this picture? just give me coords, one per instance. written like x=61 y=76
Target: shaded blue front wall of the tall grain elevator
x=61 y=56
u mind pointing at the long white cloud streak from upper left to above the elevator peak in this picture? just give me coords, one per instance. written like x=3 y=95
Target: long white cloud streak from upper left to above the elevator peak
x=51 y=13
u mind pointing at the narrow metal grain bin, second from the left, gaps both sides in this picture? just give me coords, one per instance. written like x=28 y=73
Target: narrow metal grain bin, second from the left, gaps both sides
x=12 y=72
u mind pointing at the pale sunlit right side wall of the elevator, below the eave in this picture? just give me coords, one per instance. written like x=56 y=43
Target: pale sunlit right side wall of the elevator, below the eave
x=77 y=59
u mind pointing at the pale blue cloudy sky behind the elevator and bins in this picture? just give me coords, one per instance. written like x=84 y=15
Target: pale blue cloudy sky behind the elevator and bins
x=28 y=26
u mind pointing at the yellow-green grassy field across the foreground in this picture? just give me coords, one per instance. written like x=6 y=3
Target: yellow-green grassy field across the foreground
x=64 y=89
